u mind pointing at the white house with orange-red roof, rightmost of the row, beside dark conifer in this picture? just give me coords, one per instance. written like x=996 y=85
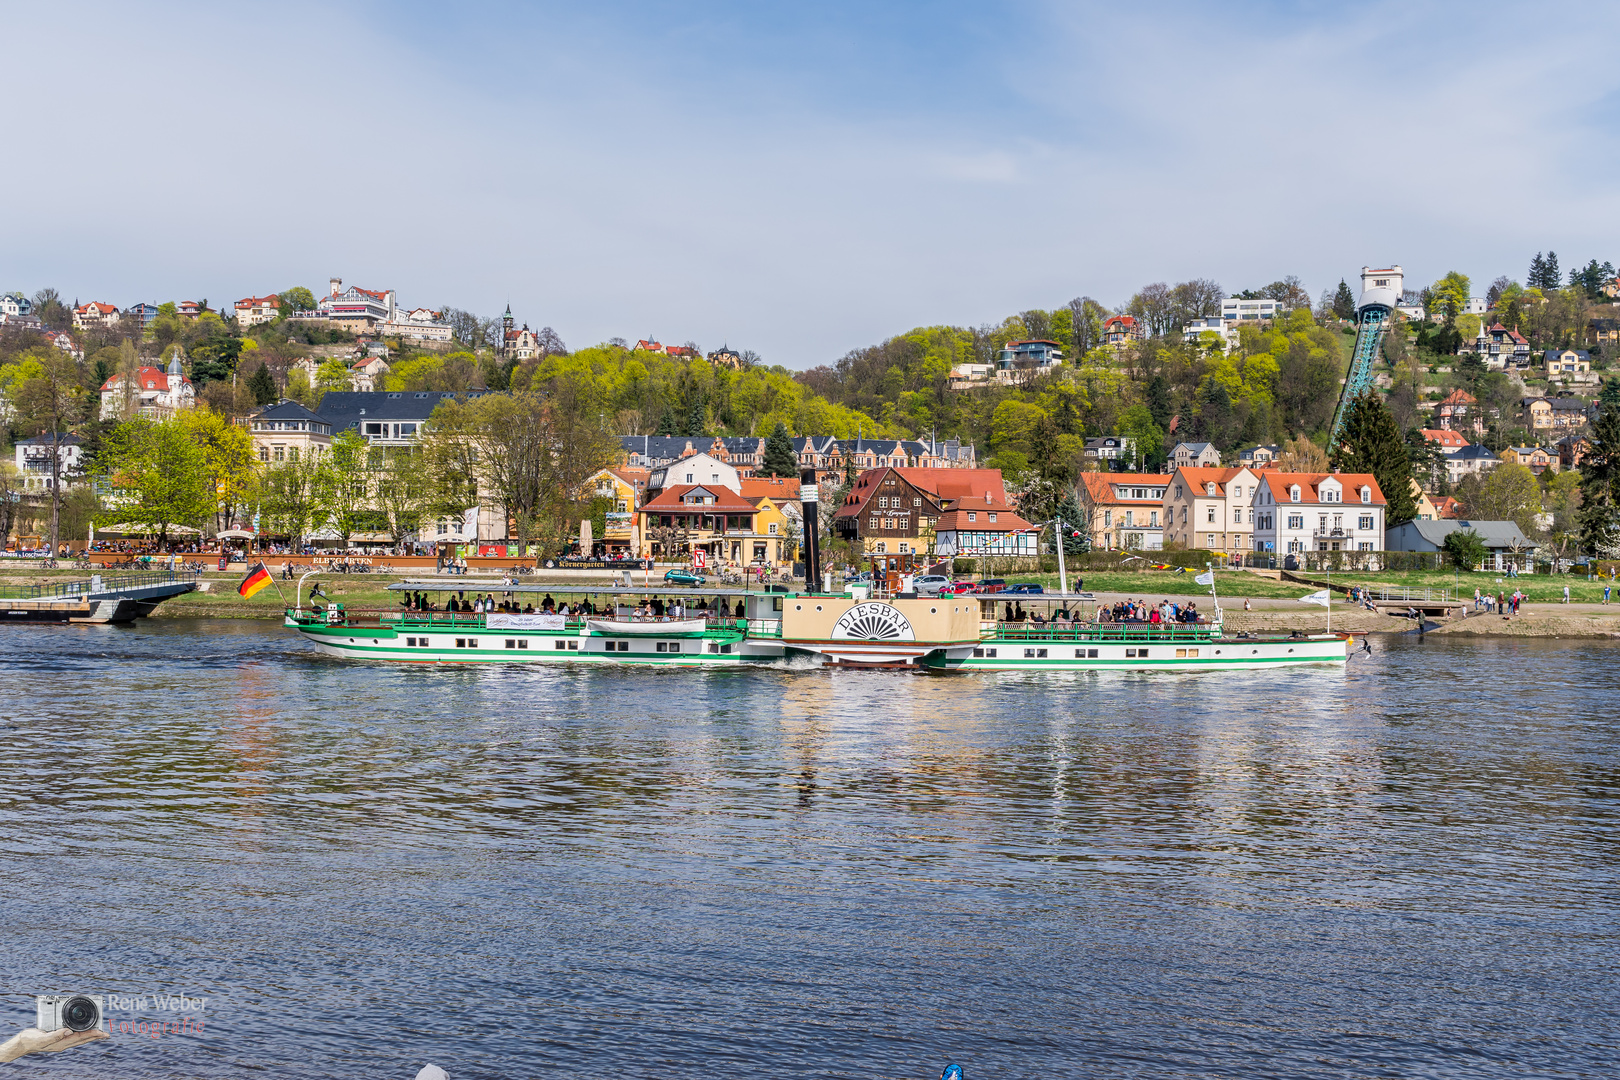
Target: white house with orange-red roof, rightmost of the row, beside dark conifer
x=1300 y=512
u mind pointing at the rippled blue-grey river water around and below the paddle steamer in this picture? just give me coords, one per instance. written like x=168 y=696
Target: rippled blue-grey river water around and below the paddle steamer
x=1405 y=869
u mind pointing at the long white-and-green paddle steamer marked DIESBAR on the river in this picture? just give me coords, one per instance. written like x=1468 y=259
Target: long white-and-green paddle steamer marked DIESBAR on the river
x=853 y=629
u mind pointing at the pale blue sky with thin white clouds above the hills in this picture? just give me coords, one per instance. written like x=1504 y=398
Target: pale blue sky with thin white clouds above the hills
x=796 y=179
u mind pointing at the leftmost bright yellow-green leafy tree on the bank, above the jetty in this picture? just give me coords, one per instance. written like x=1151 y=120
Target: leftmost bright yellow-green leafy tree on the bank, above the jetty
x=158 y=477
